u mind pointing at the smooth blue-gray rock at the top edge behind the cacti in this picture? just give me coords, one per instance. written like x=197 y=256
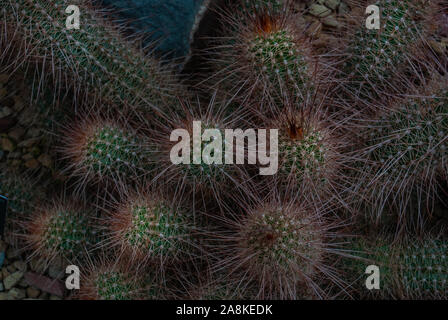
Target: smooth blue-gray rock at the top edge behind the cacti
x=171 y=22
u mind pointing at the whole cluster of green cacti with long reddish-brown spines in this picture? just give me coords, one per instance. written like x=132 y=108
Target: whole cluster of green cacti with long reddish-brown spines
x=143 y=227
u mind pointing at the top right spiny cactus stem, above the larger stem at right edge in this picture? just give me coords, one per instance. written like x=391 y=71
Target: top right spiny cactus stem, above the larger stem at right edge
x=379 y=62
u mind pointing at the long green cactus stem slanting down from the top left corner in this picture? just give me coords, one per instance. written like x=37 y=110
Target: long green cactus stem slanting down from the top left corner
x=95 y=60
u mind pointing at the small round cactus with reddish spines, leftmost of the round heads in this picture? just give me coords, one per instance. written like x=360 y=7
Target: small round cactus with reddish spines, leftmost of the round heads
x=61 y=230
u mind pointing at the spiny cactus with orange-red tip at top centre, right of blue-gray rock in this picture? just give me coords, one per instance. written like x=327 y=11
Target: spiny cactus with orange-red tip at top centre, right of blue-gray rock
x=267 y=57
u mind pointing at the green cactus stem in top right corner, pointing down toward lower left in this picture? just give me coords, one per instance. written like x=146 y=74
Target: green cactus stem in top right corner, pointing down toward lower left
x=376 y=55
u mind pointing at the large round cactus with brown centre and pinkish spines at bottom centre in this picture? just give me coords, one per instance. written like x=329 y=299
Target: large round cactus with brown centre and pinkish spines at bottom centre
x=281 y=247
